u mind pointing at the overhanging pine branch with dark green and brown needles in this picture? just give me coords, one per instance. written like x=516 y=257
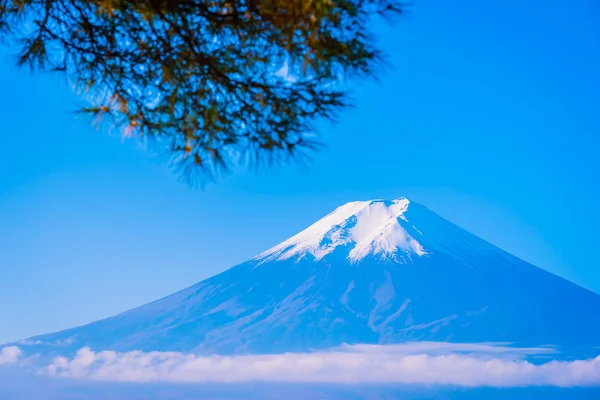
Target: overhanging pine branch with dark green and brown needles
x=217 y=82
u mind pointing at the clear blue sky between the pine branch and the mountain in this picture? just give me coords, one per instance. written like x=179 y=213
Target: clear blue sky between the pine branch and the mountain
x=490 y=117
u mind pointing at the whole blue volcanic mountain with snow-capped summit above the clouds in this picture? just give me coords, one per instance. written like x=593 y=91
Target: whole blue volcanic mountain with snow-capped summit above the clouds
x=369 y=272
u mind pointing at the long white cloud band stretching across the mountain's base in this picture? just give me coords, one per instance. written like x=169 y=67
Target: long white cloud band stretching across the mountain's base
x=469 y=365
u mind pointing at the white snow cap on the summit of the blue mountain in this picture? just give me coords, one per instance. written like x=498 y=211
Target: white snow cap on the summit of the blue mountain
x=362 y=228
